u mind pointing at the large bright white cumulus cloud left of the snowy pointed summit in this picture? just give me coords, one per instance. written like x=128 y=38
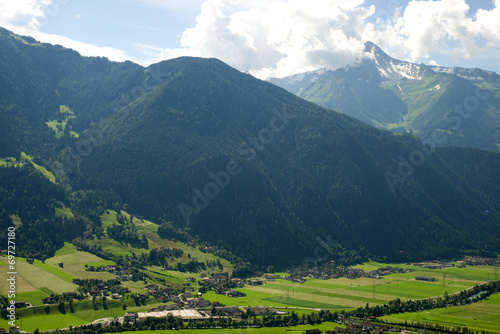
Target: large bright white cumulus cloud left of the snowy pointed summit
x=277 y=38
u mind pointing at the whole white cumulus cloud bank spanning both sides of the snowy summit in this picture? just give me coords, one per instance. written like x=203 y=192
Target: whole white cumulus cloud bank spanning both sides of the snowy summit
x=278 y=38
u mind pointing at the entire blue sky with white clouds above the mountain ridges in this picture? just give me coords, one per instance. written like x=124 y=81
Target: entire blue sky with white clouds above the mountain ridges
x=266 y=38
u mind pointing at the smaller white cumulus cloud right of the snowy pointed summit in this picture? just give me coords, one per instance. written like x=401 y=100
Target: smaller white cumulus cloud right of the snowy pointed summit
x=446 y=26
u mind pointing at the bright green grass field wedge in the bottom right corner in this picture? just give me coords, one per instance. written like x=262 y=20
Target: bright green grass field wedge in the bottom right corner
x=484 y=315
